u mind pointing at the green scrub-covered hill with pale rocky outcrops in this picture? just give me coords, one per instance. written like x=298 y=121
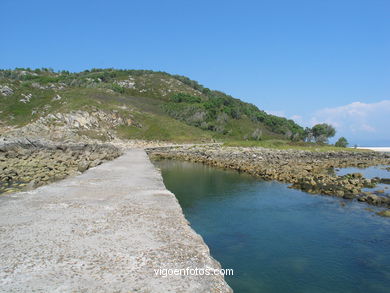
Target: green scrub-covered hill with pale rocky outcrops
x=138 y=104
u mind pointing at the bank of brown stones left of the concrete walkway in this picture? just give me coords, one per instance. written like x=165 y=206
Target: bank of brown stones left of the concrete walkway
x=26 y=165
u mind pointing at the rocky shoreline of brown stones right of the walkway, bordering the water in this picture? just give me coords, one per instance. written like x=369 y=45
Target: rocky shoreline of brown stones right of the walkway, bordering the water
x=312 y=172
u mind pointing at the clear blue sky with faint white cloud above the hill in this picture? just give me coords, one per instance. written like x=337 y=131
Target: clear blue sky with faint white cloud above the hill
x=309 y=60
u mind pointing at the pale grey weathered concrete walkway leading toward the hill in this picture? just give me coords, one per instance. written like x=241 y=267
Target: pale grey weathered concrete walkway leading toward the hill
x=106 y=230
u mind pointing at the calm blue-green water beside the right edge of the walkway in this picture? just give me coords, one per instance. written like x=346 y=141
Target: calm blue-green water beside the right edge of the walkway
x=280 y=240
